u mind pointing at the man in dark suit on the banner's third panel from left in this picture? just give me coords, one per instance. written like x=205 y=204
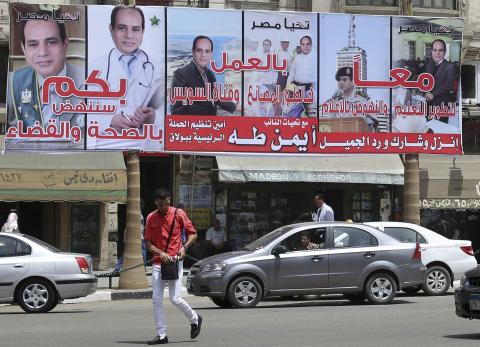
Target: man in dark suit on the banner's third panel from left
x=196 y=74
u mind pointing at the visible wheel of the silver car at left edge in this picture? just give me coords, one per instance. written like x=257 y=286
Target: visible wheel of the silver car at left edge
x=36 y=296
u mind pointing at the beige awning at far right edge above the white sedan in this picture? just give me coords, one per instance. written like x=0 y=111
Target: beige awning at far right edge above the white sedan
x=450 y=181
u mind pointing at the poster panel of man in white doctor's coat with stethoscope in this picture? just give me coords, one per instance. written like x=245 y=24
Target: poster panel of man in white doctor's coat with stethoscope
x=130 y=49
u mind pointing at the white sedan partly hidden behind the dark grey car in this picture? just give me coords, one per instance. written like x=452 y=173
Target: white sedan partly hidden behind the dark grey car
x=446 y=260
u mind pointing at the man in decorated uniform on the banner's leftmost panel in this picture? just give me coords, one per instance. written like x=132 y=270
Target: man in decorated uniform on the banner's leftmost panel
x=45 y=45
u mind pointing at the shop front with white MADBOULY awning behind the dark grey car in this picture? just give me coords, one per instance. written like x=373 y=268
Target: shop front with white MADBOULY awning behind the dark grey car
x=254 y=195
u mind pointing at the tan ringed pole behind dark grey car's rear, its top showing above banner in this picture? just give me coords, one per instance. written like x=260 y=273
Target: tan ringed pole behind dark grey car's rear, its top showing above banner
x=411 y=188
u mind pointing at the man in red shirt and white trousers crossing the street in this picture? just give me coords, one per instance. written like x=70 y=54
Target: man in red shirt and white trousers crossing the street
x=163 y=230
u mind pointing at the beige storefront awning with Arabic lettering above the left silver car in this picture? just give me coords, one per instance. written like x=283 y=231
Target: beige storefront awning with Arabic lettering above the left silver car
x=63 y=176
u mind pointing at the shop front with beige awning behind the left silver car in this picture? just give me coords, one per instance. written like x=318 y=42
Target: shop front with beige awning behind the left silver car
x=68 y=200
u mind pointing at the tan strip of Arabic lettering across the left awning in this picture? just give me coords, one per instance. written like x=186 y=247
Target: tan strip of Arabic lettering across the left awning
x=63 y=179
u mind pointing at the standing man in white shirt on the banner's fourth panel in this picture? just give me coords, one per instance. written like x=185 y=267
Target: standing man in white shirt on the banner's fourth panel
x=303 y=71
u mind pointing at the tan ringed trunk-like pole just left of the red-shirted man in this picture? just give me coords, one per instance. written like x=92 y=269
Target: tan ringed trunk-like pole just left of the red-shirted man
x=132 y=255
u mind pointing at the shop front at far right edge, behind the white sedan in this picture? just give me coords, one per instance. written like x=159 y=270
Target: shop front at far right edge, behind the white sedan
x=450 y=196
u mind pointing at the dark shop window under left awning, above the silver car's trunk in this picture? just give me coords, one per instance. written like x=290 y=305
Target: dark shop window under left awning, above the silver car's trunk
x=85 y=229
